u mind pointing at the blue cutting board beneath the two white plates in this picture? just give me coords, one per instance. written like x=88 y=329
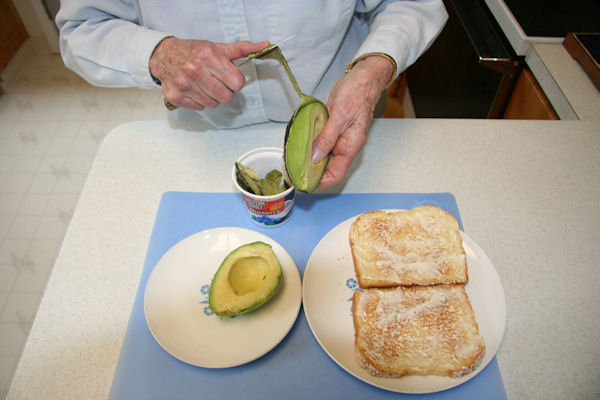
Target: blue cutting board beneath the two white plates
x=297 y=368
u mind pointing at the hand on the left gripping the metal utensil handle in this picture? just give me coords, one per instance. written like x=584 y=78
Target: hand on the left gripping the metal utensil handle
x=196 y=73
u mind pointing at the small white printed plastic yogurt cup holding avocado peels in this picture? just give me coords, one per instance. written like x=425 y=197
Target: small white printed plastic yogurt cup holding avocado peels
x=266 y=211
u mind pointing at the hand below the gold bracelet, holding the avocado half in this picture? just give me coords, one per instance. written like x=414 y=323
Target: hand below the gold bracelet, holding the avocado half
x=351 y=104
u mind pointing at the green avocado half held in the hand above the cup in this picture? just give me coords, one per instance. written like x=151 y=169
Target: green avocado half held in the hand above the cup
x=306 y=124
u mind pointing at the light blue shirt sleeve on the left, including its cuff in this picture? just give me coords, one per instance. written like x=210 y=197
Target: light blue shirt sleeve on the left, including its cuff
x=103 y=42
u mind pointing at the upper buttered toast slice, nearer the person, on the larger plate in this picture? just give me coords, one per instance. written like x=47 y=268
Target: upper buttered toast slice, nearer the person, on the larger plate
x=421 y=246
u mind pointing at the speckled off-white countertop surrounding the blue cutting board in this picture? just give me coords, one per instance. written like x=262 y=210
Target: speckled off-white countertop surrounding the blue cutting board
x=528 y=194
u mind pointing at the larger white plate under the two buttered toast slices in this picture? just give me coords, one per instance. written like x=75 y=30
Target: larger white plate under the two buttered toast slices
x=330 y=281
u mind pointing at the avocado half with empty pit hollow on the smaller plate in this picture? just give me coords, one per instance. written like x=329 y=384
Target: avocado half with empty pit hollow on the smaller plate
x=246 y=279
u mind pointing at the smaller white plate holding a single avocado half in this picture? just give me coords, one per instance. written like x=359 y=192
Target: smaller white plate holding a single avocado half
x=177 y=311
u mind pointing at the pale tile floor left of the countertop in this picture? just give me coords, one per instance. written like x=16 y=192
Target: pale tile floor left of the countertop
x=51 y=124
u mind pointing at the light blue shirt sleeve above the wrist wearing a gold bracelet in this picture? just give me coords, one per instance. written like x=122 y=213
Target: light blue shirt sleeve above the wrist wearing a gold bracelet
x=402 y=29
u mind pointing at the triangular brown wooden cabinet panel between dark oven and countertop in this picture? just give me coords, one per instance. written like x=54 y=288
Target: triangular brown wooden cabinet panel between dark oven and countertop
x=528 y=100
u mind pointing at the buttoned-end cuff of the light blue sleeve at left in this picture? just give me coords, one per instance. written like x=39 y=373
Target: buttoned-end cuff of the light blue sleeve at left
x=141 y=47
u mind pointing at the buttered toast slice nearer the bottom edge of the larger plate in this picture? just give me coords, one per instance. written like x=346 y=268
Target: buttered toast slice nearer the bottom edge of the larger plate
x=417 y=330
